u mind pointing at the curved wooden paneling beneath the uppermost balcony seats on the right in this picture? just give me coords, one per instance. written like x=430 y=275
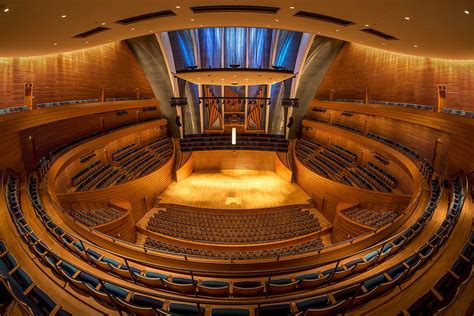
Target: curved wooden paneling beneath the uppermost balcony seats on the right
x=418 y=130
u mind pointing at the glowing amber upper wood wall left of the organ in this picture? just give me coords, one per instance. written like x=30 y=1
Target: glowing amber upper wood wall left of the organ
x=73 y=76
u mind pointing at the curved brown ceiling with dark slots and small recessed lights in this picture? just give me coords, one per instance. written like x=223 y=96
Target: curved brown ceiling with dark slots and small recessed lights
x=434 y=28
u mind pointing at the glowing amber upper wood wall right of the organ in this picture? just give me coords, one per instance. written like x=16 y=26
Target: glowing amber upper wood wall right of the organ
x=399 y=78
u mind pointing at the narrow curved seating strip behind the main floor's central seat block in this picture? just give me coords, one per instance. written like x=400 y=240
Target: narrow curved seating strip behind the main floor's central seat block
x=313 y=246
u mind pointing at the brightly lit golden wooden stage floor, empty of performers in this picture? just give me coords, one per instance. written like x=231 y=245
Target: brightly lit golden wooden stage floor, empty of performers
x=234 y=189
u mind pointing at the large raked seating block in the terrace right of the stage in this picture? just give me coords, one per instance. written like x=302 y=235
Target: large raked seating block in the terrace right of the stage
x=339 y=164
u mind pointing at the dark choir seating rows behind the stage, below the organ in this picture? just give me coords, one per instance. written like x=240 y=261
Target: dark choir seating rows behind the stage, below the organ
x=222 y=141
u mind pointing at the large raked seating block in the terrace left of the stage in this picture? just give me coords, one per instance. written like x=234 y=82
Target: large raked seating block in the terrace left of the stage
x=129 y=162
